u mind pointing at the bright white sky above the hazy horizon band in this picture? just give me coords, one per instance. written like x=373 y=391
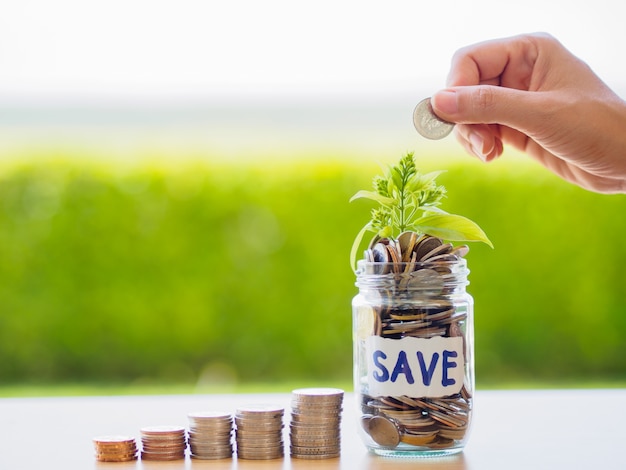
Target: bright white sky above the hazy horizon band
x=172 y=50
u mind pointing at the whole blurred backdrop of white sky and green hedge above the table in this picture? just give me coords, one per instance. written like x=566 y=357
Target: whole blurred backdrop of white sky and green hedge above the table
x=174 y=186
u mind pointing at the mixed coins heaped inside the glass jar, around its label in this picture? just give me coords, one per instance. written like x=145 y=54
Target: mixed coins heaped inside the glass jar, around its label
x=426 y=264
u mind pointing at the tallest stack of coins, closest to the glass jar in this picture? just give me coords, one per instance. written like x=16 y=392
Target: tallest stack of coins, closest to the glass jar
x=315 y=423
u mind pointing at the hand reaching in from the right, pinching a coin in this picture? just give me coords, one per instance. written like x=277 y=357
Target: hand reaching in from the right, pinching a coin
x=533 y=94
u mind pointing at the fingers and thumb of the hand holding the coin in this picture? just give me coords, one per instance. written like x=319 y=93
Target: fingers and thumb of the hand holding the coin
x=488 y=92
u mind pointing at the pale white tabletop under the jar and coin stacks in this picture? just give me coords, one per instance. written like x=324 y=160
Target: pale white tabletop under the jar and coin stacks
x=547 y=429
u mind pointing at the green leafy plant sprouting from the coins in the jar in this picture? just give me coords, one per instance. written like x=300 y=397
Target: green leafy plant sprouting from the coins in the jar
x=409 y=200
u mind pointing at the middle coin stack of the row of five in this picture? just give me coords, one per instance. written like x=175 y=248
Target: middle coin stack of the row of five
x=210 y=435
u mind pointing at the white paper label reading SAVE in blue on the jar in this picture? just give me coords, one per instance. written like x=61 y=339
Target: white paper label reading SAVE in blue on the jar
x=415 y=367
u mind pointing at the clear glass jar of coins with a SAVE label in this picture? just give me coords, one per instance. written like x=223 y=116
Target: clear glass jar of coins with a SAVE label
x=413 y=357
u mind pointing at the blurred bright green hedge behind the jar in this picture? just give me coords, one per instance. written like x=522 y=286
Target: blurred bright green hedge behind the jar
x=206 y=271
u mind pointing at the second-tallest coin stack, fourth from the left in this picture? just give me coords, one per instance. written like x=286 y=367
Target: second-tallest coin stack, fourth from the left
x=259 y=432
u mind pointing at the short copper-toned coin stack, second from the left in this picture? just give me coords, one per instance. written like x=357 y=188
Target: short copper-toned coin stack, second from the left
x=163 y=443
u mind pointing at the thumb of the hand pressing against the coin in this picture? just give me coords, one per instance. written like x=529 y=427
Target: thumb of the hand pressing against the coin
x=485 y=104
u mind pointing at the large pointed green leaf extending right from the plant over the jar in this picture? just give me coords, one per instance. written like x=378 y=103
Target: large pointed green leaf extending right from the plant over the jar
x=452 y=227
